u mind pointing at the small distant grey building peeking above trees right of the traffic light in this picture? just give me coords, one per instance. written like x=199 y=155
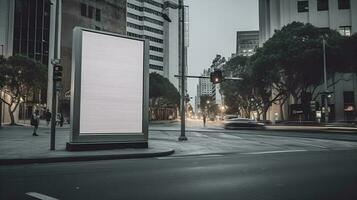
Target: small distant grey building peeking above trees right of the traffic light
x=247 y=42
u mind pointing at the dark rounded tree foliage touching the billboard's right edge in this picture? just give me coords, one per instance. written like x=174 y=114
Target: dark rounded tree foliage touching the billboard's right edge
x=162 y=92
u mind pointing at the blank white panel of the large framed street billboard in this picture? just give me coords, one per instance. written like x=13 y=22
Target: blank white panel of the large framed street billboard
x=111 y=95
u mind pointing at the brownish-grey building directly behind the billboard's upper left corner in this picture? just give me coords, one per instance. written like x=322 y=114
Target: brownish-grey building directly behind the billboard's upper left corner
x=107 y=15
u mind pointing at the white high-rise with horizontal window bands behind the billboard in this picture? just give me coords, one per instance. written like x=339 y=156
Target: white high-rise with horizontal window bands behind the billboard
x=145 y=20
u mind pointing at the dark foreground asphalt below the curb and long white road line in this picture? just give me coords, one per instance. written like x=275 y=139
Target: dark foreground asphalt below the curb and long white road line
x=254 y=175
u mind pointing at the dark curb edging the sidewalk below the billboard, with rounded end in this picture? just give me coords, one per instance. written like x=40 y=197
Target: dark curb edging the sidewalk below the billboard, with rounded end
x=84 y=158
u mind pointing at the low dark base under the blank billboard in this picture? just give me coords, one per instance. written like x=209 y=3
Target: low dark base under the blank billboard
x=104 y=146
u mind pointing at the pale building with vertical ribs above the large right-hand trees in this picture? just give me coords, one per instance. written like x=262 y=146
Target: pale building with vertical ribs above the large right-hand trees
x=340 y=15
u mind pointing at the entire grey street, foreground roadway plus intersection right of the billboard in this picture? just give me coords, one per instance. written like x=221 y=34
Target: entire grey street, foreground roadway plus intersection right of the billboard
x=212 y=164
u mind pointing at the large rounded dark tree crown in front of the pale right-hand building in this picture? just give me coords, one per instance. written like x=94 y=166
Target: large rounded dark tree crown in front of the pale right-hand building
x=295 y=52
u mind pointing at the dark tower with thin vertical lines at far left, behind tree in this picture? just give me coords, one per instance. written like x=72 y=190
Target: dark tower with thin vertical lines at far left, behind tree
x=25 y=30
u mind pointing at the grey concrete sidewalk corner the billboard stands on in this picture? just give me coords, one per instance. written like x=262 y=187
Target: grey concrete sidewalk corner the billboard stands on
x=18 y=146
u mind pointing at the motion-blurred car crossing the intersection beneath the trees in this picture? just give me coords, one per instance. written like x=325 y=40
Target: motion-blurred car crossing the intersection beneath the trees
x=243 y=123
